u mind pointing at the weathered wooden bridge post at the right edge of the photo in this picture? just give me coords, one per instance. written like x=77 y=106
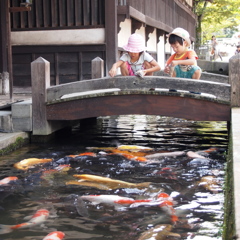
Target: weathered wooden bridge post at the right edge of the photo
x=234 y=80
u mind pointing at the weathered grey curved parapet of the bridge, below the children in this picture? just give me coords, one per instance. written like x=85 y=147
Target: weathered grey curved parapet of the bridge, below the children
x=215 y=91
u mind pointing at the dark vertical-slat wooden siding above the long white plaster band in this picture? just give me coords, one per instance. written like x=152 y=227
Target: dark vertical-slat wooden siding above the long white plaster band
x=59 y=14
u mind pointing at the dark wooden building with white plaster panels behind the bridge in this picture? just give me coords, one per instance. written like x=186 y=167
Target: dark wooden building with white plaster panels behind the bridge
x=71 y=33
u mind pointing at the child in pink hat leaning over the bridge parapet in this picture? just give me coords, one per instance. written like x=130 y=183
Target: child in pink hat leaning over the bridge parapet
x=136 y=61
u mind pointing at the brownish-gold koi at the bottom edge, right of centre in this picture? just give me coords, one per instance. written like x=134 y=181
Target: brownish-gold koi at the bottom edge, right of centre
x=159 y=232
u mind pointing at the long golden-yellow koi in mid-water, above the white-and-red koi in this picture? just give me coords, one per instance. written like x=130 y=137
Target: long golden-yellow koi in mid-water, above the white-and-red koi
x=108 y=182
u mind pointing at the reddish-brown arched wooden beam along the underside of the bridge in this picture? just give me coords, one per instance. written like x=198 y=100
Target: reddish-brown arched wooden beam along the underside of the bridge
x=172 y=106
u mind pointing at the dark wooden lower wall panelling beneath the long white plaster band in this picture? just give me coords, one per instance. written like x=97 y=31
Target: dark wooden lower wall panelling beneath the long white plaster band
x=67 y=64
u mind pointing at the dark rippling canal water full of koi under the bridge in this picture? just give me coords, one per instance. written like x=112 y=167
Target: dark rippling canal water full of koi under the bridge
x=176 y=166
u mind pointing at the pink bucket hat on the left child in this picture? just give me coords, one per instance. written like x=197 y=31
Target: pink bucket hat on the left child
x=135 y=44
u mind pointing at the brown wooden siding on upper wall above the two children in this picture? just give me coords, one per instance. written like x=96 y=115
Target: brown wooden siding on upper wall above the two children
x=161 y=14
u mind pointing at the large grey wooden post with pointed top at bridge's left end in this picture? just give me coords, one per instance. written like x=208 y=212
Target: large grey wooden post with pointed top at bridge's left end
x=40 y=77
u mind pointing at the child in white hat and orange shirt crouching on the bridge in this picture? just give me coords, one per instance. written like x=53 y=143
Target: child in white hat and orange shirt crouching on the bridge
x=183 y=61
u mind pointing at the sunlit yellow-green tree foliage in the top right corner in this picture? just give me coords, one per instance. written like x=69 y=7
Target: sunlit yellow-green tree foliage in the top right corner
x=216 y=17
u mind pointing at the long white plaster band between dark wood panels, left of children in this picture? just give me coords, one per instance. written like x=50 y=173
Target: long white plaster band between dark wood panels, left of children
x=59 y=37
